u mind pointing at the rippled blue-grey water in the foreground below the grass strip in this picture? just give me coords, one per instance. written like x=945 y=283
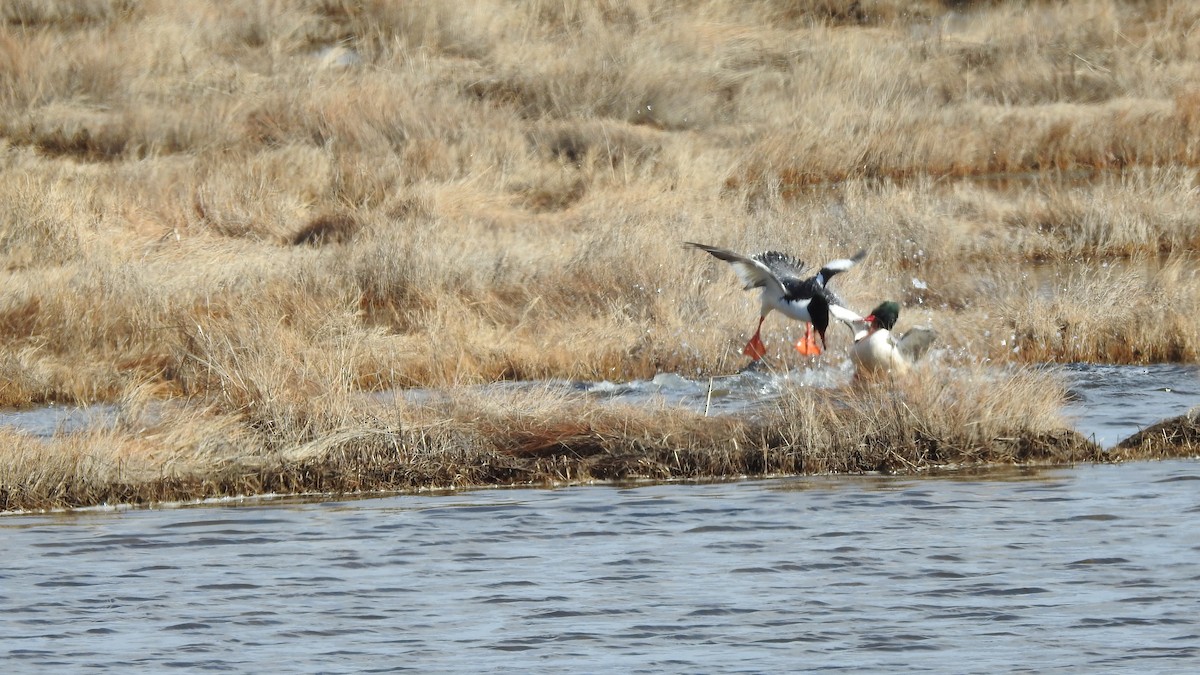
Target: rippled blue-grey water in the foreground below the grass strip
x=1089 y=570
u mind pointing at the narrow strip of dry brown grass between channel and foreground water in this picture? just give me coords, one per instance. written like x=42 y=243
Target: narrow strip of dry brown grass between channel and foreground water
x=465 y=437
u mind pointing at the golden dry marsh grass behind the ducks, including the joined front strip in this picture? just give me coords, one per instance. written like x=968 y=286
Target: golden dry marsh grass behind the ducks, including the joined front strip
x=256 y=217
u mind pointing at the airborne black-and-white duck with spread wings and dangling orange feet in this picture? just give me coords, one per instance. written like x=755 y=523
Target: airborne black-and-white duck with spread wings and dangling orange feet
x=783 y=289
